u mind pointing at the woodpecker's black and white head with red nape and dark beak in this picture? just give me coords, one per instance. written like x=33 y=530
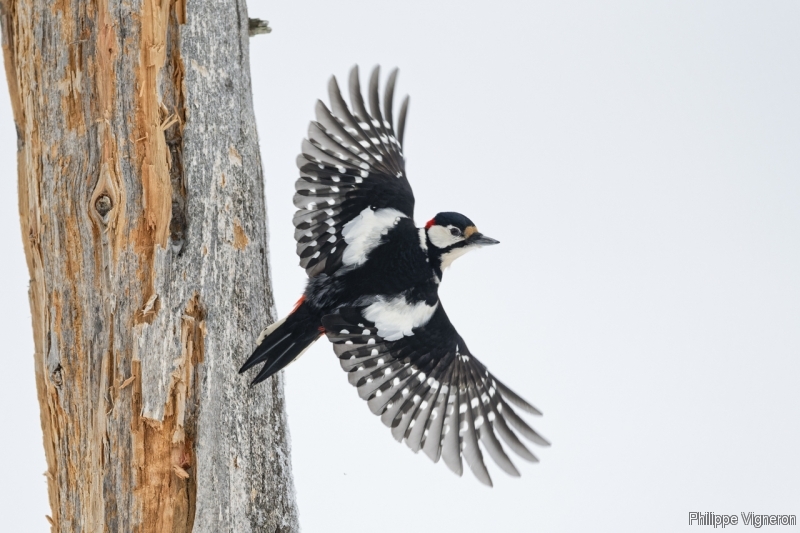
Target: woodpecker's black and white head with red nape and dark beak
x=451 y=235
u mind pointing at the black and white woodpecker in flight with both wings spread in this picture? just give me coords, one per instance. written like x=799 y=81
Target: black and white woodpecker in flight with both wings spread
x=373 y=290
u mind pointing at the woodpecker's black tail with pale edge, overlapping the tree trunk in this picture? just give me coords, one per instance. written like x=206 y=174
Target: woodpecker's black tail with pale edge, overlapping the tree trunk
x=284 y=341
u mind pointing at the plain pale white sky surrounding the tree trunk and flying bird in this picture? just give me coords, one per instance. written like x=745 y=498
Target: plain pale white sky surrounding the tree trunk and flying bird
x=640 y=164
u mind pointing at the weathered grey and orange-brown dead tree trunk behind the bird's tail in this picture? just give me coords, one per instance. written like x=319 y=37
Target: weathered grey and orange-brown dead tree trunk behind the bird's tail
x=142 y=211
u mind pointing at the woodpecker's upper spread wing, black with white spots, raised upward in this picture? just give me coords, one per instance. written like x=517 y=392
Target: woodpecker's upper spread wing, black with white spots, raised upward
x=351 y=161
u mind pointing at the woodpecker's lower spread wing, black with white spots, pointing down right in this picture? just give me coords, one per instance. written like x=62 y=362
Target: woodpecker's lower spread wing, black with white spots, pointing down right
x=432 y=392
